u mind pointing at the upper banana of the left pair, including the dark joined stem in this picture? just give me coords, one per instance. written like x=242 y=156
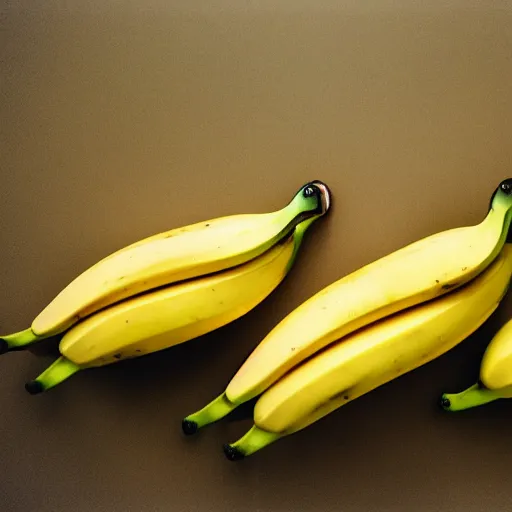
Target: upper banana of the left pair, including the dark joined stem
x=173 y=256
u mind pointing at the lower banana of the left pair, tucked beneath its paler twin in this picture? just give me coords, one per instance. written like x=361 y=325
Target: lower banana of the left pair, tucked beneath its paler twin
x=171 y=315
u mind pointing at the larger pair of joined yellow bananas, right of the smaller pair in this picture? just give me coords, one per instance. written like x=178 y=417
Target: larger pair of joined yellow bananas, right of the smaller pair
x=369 y=327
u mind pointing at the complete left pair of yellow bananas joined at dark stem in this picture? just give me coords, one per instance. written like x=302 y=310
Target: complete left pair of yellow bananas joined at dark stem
x=171 y=287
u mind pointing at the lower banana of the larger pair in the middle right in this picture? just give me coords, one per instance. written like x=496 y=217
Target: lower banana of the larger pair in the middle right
x=373 y=356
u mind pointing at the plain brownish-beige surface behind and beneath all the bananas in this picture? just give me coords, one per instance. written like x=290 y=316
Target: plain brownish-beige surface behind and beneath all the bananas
x=122 y=119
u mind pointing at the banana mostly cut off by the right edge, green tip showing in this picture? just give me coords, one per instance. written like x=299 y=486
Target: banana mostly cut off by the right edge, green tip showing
x=495 y=375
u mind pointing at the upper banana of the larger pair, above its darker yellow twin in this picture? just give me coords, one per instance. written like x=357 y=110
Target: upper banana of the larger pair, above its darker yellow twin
x=420 y=272
